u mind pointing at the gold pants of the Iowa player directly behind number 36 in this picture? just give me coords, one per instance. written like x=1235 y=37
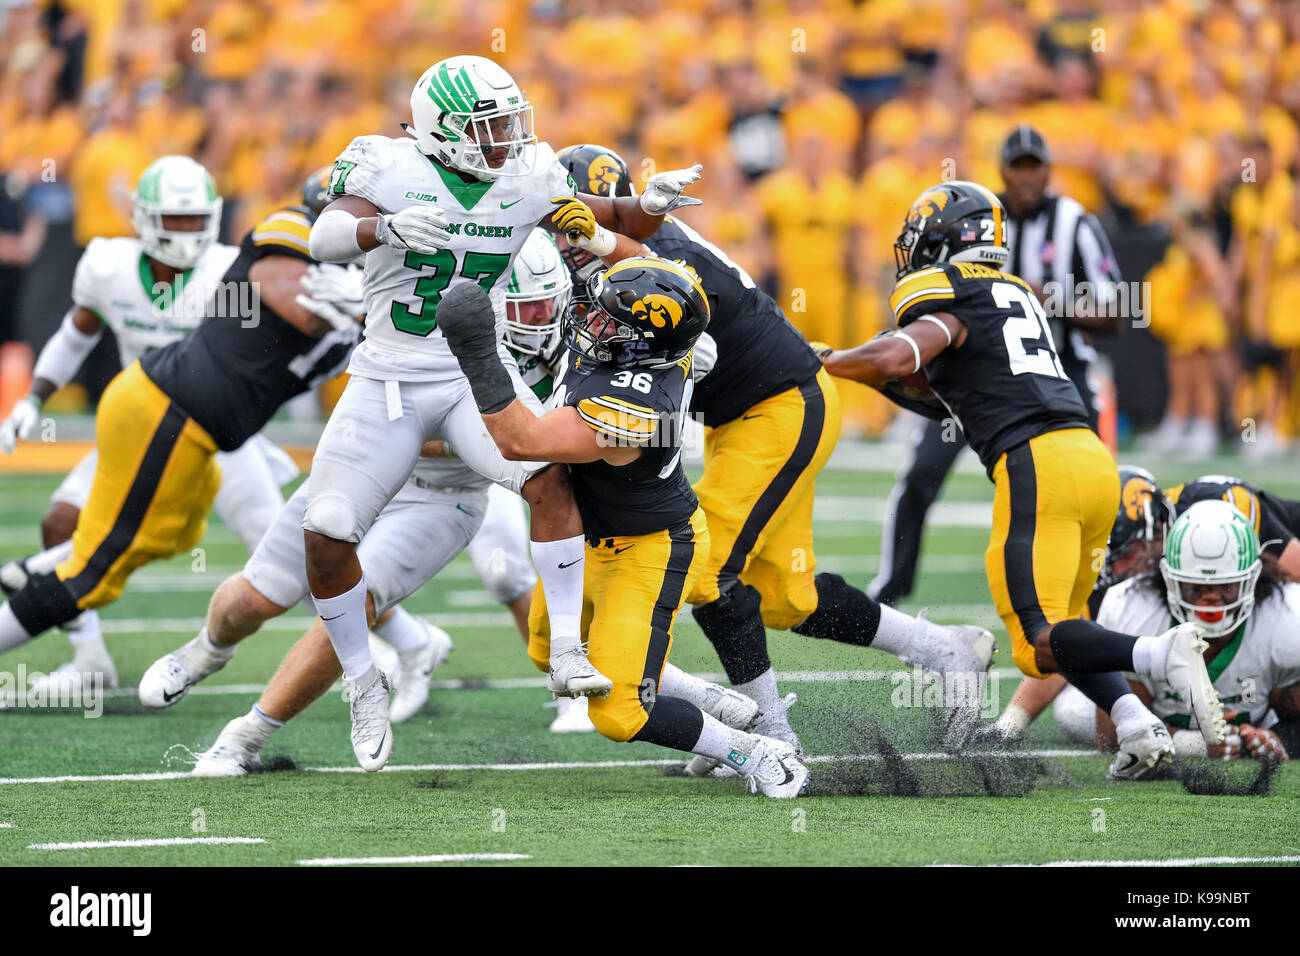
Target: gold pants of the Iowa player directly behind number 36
x=757 y=495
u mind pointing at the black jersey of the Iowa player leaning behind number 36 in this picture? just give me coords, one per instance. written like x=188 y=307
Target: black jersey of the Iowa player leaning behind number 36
x=760 y=353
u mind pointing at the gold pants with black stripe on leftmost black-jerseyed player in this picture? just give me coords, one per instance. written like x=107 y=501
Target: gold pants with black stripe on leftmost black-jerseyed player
x=153 y=491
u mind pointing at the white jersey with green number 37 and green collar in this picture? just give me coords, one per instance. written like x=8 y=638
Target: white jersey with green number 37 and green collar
x=491 y=223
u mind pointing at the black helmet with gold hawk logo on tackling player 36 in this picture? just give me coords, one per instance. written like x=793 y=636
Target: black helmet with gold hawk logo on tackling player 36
x=643 y=313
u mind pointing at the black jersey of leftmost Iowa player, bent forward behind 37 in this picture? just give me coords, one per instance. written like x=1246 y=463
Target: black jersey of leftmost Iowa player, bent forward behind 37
x=241 y=365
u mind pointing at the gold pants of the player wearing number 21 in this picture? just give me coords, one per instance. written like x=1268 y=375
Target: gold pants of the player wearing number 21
x=1055 y=500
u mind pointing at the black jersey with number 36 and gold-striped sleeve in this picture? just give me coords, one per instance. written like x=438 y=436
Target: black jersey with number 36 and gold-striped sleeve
x=635 y=408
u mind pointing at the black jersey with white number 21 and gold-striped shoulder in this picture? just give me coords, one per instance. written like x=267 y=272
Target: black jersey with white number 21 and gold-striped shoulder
x=1006 y=384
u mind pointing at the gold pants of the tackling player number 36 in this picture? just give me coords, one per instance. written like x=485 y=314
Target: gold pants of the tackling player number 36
x=632 y=591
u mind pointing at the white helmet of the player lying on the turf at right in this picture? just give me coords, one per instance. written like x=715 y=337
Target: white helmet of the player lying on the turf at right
x=1212 y=544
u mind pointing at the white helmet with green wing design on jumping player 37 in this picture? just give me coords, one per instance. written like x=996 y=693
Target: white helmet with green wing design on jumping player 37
x=466 y=107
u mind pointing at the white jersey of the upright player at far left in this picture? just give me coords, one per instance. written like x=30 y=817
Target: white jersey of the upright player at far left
x=115 y=283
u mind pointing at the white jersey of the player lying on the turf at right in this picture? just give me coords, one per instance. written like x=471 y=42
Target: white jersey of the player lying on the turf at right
x=1264 y=656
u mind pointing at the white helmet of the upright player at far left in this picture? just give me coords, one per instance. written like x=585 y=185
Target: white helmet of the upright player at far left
x=176 y=187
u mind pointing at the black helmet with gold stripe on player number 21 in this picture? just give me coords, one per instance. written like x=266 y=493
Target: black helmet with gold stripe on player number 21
x=954 y=223
